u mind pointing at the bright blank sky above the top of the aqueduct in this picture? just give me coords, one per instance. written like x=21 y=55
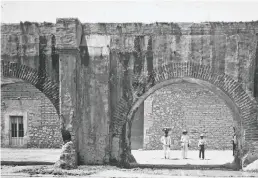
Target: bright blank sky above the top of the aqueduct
x=130 y=11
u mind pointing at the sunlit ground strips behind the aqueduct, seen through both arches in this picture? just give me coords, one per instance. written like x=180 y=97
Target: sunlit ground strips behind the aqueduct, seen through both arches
x=143 y=157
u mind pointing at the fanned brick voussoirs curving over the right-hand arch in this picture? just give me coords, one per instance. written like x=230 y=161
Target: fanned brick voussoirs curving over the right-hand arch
x=246 y=105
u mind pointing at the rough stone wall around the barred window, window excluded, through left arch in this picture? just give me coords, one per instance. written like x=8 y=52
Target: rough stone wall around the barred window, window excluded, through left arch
x=43 y=124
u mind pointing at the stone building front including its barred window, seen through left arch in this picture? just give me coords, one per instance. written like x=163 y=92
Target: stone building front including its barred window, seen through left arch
x=29 y=119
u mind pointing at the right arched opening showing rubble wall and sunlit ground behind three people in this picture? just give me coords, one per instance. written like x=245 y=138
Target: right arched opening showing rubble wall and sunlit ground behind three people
x=190 y=104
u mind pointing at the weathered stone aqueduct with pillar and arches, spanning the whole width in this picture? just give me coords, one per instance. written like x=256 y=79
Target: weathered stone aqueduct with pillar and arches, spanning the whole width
x=97 y=75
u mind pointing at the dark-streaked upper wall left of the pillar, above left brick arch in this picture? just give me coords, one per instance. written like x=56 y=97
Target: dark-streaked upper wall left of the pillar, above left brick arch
x=31 y=44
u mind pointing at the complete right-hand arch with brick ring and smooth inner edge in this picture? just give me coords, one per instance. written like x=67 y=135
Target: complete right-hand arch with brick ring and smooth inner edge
x=242 y=105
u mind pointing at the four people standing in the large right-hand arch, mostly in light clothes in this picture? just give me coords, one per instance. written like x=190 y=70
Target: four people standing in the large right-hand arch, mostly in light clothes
x=185 y=144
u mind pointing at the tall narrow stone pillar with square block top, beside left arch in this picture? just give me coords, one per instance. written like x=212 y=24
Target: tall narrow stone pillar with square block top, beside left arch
x=68 y=39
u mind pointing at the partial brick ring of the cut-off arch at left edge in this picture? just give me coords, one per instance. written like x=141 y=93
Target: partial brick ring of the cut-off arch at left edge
x=38 y=79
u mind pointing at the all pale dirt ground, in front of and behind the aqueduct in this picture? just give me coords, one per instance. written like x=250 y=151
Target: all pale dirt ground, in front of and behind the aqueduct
x=149 y=157
